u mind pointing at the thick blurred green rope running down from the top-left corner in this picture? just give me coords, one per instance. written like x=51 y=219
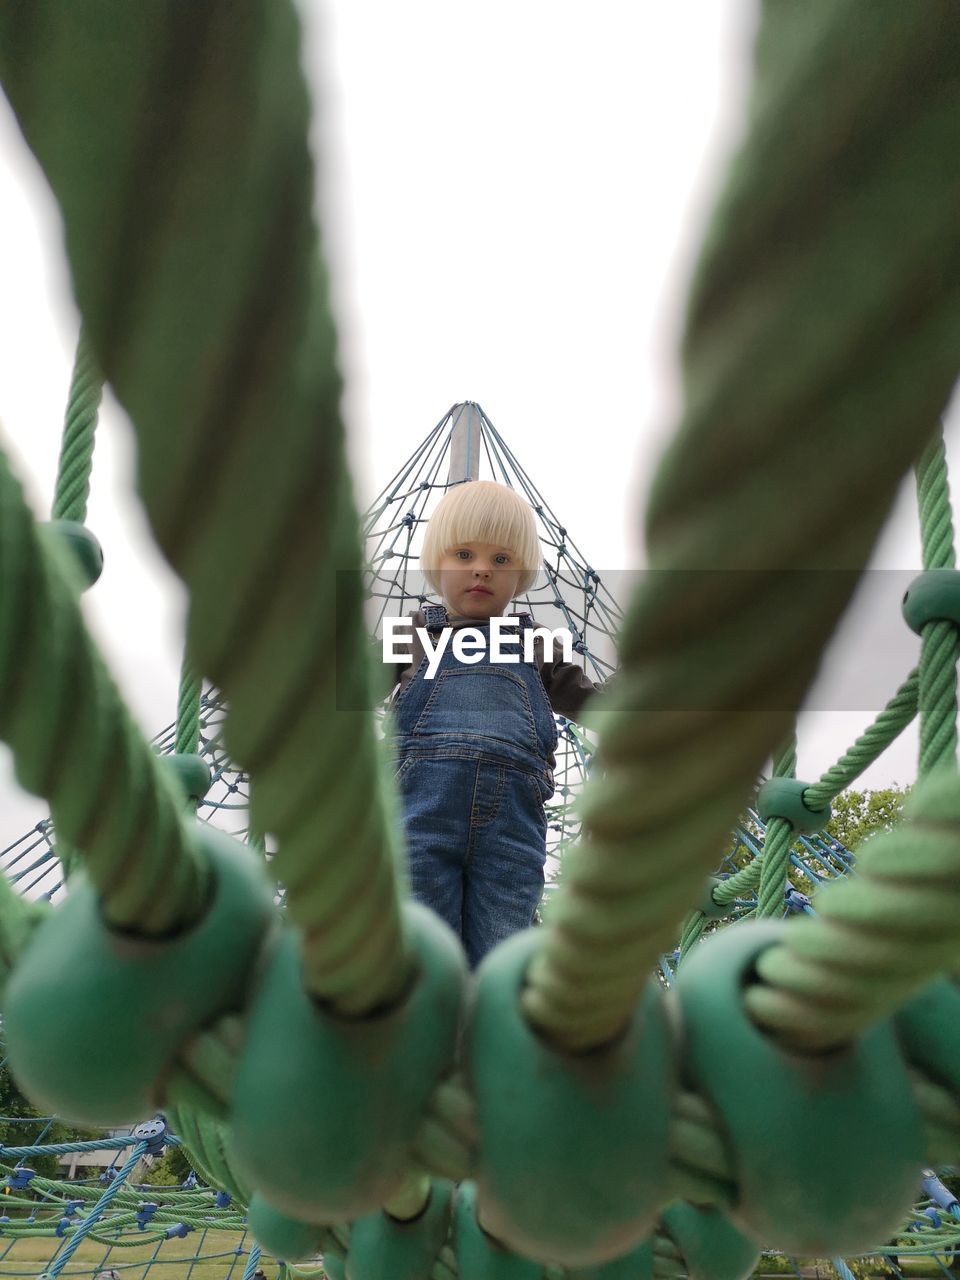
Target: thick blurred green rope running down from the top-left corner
x=195 y=263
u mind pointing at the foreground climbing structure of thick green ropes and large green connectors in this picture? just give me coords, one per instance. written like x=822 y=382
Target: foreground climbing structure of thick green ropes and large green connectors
x=845 y=349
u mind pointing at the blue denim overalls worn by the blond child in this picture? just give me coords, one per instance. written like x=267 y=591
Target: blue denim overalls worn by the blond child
x=474 y=767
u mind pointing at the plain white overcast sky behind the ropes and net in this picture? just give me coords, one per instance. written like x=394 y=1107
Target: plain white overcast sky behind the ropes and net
x=513 y=199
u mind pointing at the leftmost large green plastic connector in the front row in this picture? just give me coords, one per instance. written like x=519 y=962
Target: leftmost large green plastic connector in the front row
x=95 y=1018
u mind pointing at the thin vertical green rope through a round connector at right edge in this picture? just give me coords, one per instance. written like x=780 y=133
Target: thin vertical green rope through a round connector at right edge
x=940 y=646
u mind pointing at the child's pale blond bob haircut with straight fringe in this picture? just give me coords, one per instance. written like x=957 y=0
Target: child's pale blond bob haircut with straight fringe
x=483 y=511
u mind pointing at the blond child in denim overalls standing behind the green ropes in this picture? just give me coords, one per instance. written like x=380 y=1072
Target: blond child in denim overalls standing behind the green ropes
x=476 y=743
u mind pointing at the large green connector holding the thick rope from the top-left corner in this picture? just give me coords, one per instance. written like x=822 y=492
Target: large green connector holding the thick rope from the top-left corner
x=326 y=1110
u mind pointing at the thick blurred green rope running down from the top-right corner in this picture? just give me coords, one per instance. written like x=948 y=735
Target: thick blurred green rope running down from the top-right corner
x=825 y=351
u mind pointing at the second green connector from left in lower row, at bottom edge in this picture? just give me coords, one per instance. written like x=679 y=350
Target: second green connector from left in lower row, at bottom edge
x=382 y=1246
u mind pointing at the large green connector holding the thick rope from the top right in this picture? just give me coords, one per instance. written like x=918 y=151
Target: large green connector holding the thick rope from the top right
x=573 y=1149
